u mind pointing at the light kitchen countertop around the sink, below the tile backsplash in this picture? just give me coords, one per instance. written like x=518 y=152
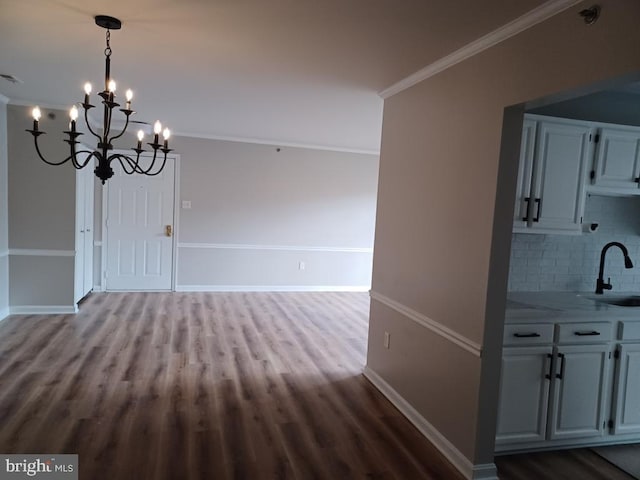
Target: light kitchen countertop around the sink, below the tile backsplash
x=550 y=307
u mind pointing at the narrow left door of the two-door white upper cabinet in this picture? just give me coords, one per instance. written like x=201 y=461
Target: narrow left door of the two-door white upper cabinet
x=525 y=175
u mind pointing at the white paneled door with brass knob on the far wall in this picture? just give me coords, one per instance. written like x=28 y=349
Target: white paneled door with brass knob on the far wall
x=139 y=230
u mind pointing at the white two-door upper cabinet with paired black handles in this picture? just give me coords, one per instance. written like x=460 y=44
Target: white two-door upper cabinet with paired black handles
x=551 y=187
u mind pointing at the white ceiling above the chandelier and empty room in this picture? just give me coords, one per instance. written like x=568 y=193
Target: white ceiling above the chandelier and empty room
x=292 y=71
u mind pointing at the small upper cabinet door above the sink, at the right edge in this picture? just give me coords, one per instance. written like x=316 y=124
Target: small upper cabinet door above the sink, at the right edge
x=617 y=161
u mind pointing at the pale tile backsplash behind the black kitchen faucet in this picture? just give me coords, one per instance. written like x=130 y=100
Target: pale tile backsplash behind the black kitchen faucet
x=570 y=262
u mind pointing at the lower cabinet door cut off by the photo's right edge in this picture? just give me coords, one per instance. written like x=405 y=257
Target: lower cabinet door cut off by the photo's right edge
x=627 y=391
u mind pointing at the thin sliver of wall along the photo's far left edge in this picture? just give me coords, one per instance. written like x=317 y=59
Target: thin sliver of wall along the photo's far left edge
x=4 y=214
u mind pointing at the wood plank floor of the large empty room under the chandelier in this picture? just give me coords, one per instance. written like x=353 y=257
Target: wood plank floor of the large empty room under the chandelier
x=206 y=386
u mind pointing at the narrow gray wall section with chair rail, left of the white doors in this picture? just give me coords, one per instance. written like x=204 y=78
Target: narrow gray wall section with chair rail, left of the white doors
x=41 y=214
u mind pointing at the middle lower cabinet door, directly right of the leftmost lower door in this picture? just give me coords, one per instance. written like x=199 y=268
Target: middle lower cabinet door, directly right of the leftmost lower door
x=579 y=392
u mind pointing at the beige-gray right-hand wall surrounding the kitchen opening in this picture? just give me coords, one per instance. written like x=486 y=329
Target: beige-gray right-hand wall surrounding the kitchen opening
x=445 y=209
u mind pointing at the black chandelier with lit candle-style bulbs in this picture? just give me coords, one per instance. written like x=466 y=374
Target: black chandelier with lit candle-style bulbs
x=102 y=155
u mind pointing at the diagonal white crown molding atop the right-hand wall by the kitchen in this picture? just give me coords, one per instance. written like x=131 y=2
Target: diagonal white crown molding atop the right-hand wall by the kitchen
x=520 y=24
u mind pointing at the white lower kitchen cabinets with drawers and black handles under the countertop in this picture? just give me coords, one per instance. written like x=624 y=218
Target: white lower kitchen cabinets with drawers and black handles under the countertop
x=579 y=387
